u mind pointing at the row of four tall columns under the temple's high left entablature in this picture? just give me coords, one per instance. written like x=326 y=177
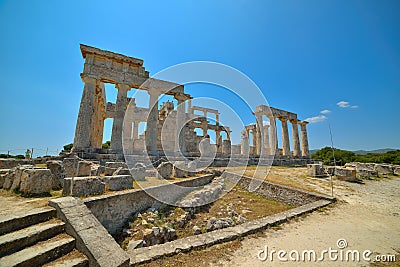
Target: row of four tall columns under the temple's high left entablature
x=90 y=114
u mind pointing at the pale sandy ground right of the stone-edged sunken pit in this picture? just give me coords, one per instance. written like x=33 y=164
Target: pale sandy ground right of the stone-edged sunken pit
x=366 y=216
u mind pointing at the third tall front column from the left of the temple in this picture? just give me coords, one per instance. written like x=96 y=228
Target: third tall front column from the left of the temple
x=152 y=122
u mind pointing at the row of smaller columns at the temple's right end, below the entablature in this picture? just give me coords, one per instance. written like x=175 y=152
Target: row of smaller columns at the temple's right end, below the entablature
x=267 y=141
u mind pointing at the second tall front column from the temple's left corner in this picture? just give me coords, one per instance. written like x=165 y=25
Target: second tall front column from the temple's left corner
x=120 y=108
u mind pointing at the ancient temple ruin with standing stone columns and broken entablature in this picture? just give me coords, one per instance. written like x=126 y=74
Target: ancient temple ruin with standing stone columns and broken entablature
x=169 y=128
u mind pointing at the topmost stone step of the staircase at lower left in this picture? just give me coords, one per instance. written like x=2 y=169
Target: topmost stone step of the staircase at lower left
x=21 y=219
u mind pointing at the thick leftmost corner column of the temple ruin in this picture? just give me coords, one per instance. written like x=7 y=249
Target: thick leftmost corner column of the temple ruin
x=84 y=131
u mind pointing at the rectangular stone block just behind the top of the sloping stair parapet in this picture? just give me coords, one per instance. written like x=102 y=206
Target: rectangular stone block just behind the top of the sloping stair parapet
x=84 y=186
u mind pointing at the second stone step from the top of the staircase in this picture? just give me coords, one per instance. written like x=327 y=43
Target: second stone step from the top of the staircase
x=14 y=241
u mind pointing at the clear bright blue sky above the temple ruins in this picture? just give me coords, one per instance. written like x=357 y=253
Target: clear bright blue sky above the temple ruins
x=305 y=56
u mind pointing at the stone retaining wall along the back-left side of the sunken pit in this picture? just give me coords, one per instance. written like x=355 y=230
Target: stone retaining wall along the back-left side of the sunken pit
x=114 y=211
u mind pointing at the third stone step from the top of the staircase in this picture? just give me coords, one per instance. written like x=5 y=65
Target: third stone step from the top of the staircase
x=40 y=253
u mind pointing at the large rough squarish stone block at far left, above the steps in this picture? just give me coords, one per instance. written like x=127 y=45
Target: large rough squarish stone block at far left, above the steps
x=36 y=181
